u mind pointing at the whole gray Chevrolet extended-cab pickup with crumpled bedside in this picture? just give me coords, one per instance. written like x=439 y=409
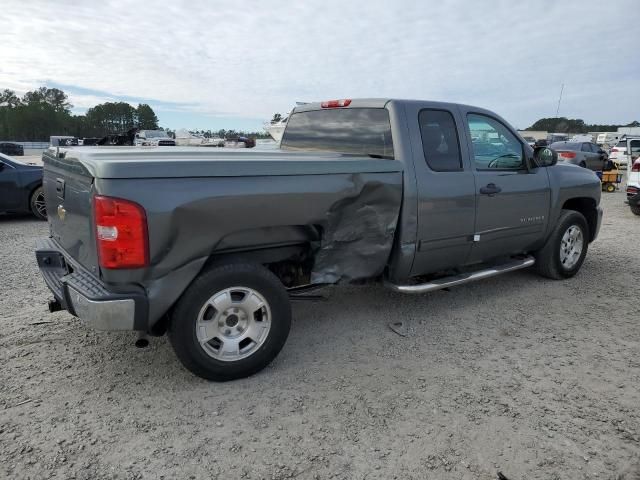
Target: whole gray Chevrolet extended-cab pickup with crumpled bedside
x=211 y=246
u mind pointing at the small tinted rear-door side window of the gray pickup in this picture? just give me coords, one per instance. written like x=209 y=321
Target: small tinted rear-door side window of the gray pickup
x=440 y=141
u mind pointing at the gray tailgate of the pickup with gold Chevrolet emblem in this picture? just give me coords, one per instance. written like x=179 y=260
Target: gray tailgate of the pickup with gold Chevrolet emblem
x=68 y=188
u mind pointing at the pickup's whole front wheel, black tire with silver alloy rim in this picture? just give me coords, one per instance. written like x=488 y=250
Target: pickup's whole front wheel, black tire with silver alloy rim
x=565 y=250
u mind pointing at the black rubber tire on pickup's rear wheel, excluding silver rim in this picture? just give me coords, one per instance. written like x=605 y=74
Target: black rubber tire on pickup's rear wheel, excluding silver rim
x=182 y=327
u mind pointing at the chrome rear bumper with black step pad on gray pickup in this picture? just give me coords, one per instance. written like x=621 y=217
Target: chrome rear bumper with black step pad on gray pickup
x=85 y=296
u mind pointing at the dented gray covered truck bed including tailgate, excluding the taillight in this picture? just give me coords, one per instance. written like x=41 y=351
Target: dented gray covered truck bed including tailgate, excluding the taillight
x=202 y=203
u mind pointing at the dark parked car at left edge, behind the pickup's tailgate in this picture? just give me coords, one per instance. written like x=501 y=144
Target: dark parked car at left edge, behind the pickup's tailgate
x=21 y=188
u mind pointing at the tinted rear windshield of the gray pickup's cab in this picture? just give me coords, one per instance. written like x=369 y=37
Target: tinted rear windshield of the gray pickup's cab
x=362 y=131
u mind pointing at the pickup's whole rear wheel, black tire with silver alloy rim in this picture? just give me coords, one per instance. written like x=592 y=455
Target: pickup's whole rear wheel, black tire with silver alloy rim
x=231 y=322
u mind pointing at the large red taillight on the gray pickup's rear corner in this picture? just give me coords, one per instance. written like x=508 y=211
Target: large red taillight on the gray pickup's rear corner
x=121 y=233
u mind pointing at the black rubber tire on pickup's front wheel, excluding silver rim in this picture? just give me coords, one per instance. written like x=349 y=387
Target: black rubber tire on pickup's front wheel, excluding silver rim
x=548 y=262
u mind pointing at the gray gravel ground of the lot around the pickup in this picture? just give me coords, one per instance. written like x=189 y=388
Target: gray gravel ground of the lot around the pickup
x=533 y=378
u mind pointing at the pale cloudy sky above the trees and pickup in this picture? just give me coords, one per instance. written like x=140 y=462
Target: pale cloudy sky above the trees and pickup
x=211 y=64
